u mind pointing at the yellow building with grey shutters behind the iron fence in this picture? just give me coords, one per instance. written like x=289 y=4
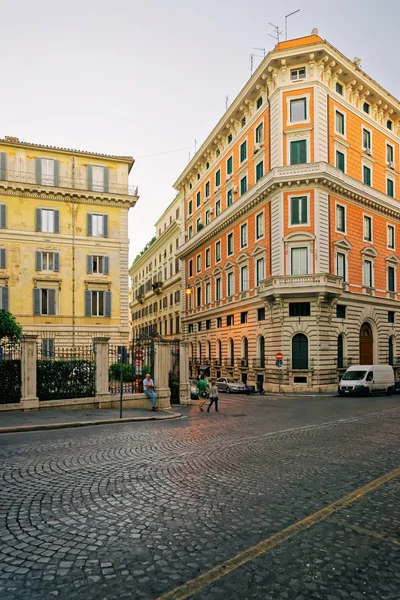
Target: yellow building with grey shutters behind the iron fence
x=64 y=242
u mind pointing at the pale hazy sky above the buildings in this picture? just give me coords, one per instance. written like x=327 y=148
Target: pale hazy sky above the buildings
x=148 y=78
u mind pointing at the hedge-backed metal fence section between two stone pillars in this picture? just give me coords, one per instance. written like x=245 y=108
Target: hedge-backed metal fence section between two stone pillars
x=66 y=373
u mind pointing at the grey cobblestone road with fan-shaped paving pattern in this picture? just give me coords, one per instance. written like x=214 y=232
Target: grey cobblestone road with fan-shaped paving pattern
x=137 y=510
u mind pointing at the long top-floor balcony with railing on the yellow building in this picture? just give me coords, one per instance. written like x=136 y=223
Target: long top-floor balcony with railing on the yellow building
x=74 y=183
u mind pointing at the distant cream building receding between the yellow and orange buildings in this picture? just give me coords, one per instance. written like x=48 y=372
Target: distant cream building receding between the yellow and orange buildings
x=156 y=280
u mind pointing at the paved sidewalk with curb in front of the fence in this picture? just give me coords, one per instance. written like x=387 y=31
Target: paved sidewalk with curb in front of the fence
x=11 y=422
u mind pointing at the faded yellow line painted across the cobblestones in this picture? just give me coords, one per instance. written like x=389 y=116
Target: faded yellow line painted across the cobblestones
x=194 y=586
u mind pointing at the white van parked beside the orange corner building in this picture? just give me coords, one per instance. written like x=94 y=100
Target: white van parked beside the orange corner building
x=364 y=380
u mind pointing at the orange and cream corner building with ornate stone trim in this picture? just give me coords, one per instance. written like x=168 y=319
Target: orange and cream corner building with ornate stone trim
x=292 y=225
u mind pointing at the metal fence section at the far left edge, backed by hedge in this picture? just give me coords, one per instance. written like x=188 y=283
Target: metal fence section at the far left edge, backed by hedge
x=10 y=373
